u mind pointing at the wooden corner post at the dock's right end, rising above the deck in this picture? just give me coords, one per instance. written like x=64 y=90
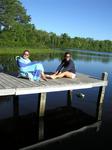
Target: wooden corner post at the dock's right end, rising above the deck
x=100 y=100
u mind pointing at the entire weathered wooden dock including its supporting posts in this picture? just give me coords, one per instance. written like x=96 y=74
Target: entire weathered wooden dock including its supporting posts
x=10 y=85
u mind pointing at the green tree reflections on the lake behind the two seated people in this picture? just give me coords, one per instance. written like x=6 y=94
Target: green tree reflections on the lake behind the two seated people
x=8 y=64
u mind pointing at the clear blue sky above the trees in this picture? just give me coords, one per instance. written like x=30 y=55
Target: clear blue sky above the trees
x=82 y=18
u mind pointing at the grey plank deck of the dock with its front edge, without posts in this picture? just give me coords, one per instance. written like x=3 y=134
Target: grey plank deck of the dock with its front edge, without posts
x=10 y=85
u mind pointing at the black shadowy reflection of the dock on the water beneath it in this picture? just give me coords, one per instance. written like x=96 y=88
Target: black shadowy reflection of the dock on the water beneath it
x=29 y=129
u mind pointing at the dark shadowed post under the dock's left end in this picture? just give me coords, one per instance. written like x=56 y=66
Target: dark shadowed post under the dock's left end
x=15 y=106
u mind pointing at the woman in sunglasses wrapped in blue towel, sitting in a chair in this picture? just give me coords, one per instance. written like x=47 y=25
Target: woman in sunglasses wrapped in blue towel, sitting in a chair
x=32 y=70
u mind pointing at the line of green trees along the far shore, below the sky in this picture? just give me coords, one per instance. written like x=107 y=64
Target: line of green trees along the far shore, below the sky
x=16 y=30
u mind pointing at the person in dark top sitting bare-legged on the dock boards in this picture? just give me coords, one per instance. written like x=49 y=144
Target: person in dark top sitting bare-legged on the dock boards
x=66 y=68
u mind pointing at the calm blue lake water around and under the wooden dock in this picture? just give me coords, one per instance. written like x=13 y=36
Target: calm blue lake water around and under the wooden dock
x=85 y=63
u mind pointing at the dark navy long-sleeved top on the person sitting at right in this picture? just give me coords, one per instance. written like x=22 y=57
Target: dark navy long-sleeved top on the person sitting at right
x=66 y=66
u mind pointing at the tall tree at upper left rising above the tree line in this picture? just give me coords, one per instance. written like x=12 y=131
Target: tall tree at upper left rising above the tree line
x=11 y=12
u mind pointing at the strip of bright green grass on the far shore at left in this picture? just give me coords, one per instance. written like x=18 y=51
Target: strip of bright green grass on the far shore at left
x=32 y=50
